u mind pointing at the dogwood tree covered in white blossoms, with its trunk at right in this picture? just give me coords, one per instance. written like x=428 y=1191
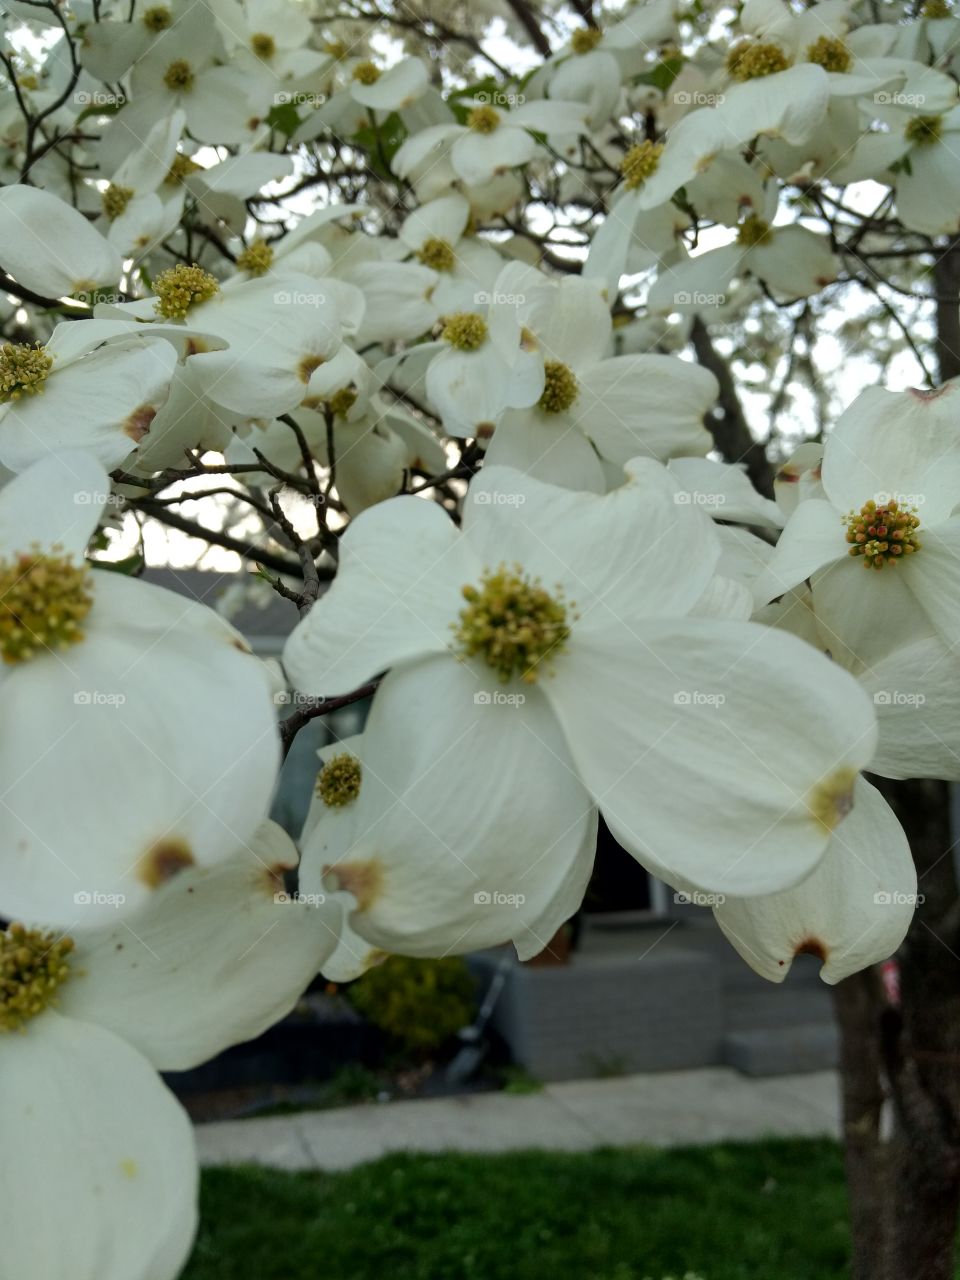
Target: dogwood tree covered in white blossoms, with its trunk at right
x=586 y=380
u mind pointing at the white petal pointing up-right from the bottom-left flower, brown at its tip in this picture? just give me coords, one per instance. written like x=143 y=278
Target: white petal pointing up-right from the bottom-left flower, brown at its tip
x=216 y=957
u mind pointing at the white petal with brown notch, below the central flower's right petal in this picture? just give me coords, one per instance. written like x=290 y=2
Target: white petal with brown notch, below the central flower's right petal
x=852 y=912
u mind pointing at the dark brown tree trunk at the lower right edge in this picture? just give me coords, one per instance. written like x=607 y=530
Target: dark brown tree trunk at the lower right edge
x=906 y=1194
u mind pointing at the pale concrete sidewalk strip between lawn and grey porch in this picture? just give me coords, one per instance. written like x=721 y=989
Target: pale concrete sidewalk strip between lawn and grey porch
x=664 y=1110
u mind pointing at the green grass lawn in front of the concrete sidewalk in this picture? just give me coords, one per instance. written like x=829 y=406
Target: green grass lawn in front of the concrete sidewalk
x=766 y=1212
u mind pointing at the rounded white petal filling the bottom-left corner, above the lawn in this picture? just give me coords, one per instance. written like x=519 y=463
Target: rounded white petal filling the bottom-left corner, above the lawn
x=120 y=1200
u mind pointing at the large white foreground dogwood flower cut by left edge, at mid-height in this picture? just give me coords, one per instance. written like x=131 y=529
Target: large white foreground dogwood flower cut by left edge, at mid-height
x=141 y=730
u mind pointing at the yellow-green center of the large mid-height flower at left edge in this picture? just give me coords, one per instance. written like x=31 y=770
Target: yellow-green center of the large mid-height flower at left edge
x=44 y=600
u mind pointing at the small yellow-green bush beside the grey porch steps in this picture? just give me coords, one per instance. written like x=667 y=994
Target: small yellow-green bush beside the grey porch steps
x=420 y=1004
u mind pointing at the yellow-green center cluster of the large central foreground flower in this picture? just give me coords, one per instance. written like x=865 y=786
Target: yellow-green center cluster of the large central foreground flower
x=513 y=624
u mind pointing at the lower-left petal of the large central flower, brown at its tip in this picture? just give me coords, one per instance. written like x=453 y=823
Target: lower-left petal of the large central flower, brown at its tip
x=431 y=877
